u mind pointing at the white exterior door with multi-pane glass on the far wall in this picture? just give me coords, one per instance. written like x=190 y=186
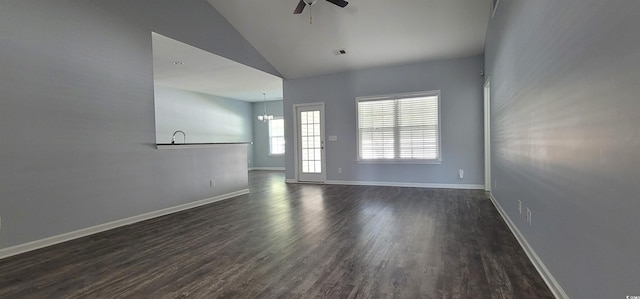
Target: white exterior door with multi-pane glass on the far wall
x=310 y=154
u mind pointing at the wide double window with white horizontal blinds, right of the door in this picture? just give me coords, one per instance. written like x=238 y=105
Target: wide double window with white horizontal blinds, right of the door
x=403 y=127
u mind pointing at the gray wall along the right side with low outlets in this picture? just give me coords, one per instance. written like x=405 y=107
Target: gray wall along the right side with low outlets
x=565 y=136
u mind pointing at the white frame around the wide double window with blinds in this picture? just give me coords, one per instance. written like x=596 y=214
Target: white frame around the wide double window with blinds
x=397 y=96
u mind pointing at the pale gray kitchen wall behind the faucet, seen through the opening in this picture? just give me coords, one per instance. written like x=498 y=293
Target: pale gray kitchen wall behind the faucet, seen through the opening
x=204 y=118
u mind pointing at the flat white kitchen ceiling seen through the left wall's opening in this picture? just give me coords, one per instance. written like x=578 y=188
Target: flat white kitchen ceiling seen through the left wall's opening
x=204 y=72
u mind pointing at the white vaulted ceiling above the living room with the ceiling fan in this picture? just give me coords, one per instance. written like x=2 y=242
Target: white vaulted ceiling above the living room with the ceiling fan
x=374 y=32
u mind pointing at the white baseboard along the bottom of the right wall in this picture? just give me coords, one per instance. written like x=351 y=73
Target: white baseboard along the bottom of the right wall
x=548 y=278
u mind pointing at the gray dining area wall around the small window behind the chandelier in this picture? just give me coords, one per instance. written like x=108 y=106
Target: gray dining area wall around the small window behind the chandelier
x=261 y=157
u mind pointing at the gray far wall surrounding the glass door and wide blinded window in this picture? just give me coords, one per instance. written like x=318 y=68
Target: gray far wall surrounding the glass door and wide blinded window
x=460 y=84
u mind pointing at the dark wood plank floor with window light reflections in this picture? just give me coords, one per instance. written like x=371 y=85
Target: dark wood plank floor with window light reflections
x=293 y=241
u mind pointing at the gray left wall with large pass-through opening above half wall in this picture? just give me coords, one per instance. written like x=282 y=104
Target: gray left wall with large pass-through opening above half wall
x=77 y=112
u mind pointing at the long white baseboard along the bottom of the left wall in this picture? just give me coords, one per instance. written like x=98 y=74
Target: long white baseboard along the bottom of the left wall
x=22 y=248
